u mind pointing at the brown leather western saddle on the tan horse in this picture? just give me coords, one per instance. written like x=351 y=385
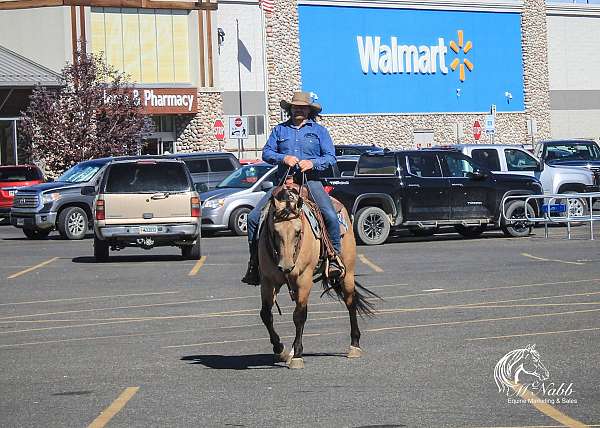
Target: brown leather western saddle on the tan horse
x=317 y=224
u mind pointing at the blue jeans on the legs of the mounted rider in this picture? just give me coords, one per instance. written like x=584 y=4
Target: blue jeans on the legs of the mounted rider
x=323 y=201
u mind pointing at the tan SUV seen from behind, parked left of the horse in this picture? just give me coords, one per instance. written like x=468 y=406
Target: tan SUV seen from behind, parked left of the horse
x=147 y=203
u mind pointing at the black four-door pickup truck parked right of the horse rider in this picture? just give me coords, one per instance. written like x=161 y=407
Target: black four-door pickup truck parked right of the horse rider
x=424 y=189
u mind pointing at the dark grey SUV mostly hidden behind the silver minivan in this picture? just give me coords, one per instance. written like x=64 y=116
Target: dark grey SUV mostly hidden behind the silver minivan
x=208 y=168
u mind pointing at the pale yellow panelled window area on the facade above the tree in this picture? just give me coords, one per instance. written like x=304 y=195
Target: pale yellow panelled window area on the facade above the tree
x=151 y=45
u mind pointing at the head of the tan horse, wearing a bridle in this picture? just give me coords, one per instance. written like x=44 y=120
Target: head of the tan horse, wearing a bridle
x=287 y=228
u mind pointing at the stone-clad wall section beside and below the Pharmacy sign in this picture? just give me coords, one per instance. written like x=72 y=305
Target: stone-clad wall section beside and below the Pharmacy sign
x=196 y=134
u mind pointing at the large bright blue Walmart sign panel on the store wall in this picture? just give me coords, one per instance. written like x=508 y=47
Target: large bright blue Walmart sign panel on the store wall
x=375 y=60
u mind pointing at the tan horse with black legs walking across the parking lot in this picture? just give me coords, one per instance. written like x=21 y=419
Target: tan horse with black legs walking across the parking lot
x=289 y=253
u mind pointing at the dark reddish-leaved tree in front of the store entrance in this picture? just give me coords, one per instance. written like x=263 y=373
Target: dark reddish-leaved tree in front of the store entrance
x=94 y=114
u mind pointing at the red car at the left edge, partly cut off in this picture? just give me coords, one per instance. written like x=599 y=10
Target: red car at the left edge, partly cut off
x=13 y=177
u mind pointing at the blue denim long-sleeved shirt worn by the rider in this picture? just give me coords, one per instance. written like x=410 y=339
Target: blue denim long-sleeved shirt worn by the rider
x=309 y=142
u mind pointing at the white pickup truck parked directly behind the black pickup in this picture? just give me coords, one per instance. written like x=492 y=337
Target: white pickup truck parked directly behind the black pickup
x=555 y=178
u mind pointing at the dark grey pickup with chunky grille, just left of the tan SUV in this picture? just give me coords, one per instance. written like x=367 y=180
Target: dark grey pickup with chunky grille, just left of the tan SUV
x=41 y=208
